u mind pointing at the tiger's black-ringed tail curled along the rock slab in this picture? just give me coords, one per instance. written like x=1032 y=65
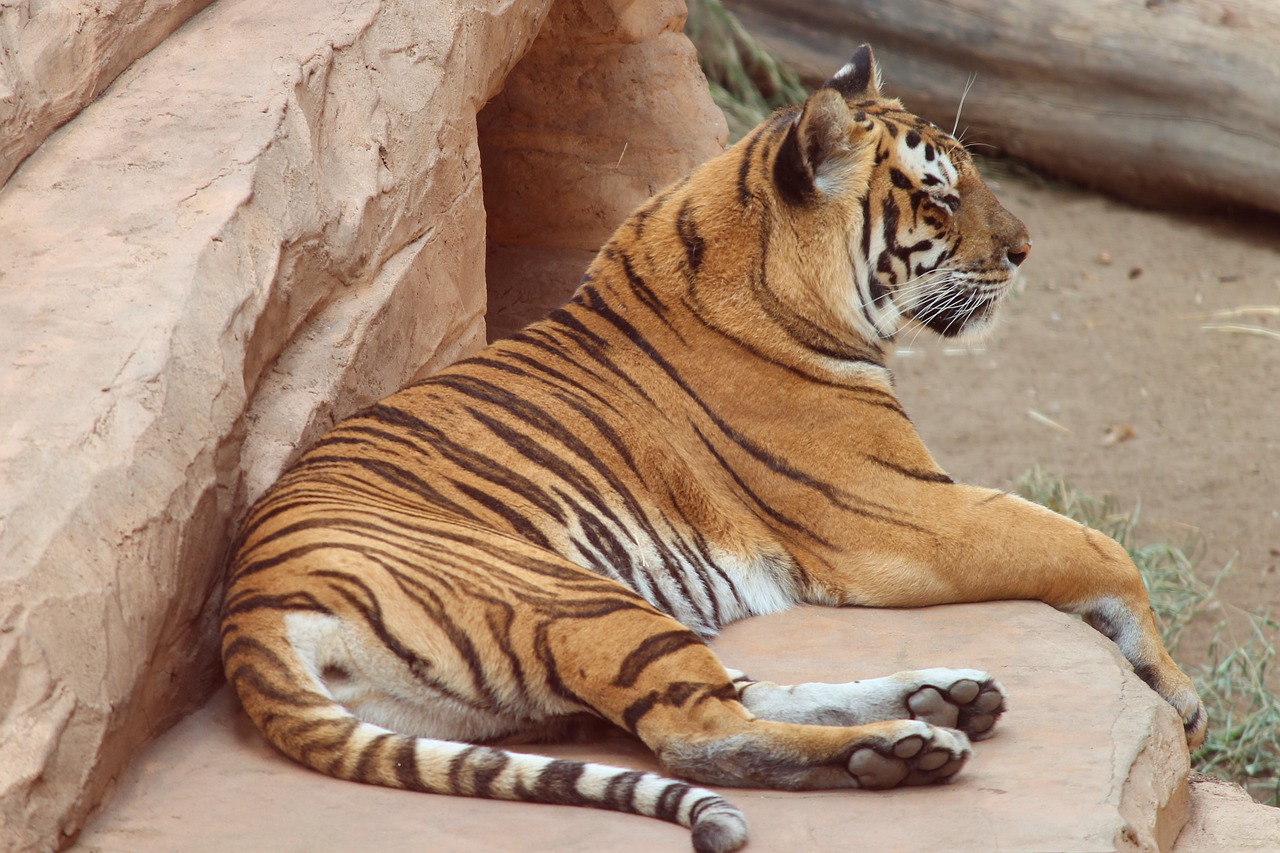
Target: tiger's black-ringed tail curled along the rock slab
x=300 y=718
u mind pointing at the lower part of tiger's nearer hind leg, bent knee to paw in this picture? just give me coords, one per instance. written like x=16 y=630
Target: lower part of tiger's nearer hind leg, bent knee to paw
x=665 y=686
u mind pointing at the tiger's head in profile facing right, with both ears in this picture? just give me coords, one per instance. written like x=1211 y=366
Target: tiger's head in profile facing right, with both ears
x=872 y=220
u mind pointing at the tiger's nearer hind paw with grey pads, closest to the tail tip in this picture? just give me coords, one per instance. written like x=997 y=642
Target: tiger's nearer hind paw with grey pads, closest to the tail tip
x=916 y=754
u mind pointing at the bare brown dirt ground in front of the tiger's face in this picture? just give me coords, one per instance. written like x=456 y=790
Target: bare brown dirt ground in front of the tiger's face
x=1103 y=371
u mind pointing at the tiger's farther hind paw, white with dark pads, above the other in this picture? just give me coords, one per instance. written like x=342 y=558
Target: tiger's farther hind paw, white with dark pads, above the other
x=966 y=700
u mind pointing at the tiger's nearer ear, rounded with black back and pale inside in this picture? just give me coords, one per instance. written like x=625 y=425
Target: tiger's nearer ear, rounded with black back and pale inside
x=821 y=152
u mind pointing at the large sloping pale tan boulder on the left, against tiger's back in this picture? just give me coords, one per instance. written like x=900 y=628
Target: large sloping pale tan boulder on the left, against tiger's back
x=269 y=221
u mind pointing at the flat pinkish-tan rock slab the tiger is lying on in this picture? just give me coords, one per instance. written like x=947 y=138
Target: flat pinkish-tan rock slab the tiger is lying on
x=1087 y=760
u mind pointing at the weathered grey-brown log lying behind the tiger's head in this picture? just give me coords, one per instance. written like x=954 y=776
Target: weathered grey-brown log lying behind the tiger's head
x=1160 y=103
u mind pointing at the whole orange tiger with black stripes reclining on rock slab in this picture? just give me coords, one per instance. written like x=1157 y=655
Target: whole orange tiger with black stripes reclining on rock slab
x=546 y=536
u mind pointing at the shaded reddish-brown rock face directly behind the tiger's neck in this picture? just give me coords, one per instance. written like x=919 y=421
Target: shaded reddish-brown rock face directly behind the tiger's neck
x=566 y=159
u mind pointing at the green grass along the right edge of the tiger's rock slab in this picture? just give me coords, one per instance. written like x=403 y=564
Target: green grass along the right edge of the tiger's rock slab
x=1238 y=681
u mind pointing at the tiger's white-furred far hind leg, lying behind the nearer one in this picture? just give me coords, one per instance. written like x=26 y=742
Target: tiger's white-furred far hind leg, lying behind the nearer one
x=971 y=701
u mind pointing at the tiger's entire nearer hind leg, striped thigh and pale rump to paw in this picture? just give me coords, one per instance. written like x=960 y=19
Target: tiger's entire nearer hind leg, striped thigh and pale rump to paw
x=477 y=667
